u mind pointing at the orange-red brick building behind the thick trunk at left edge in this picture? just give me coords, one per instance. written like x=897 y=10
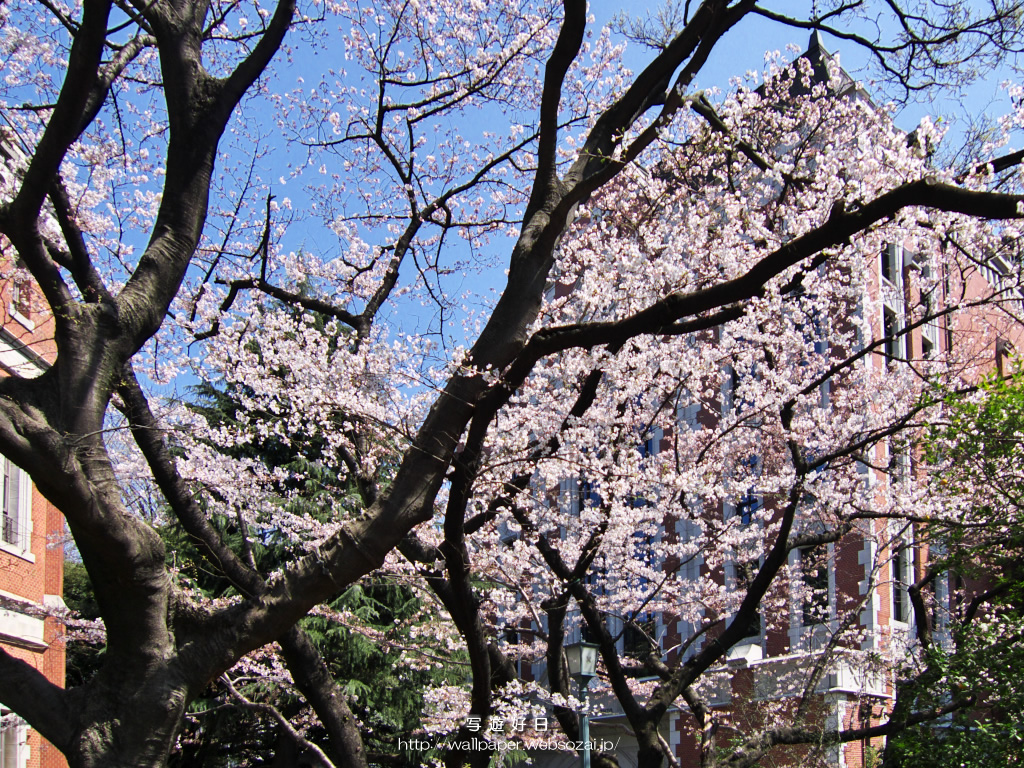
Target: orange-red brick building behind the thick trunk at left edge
x=32 y=535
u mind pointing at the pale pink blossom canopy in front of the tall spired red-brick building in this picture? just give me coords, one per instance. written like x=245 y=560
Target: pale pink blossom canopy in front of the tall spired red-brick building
x=789 y=416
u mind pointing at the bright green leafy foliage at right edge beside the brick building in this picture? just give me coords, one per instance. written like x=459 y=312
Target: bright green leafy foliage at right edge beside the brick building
x=982 y=448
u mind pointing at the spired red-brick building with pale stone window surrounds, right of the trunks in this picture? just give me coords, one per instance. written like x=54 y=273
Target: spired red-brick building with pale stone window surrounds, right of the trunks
x=862 y=579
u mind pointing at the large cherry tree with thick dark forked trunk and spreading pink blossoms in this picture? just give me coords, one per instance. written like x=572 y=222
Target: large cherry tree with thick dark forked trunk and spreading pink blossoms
x=692 y=234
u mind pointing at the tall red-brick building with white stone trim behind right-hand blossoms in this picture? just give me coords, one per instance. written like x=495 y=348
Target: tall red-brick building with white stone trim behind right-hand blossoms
x=834 y=621
